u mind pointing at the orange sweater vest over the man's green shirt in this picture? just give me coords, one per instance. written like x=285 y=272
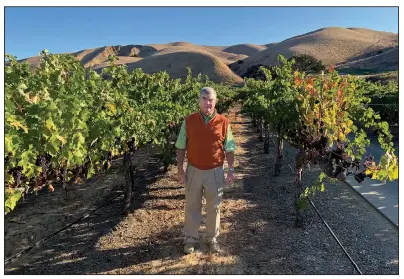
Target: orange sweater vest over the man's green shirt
x=205 y=142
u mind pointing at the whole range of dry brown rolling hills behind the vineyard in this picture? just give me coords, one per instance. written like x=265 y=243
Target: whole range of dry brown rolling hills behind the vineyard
x=350 y=49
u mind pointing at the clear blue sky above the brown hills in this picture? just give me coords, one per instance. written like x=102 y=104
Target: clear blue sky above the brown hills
x=69 y=29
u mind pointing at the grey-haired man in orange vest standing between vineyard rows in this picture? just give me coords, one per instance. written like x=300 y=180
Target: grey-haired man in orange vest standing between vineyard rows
x=207 y=138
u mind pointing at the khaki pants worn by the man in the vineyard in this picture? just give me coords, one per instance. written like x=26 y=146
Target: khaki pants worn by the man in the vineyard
x=198 y=182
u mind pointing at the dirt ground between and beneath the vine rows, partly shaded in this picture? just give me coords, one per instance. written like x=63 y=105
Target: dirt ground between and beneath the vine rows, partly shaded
x=257 y=229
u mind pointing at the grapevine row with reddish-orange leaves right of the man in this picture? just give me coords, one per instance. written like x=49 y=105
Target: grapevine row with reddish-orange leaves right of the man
x=324 y=117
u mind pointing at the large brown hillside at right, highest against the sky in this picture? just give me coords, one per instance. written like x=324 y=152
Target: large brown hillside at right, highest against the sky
x=331 y=45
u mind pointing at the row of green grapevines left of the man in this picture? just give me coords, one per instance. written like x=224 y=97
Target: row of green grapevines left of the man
x=64 y=123
